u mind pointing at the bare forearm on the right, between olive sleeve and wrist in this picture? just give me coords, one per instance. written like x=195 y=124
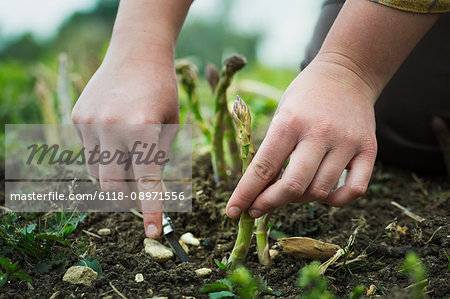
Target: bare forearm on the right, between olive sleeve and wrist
x=368 y=42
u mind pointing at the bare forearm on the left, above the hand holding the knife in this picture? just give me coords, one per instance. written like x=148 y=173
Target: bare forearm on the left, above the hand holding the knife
x=144 y=28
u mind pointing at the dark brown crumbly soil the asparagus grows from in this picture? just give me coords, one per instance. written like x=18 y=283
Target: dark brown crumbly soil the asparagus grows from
x=121 y=254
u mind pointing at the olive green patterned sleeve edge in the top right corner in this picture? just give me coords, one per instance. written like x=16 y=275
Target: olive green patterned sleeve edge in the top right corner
x=418 y=6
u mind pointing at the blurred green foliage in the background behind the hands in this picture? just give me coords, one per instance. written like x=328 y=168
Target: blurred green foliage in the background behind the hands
x=29 y=68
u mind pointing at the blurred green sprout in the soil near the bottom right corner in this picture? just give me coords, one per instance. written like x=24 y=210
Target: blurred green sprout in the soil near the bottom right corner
x=416 y=271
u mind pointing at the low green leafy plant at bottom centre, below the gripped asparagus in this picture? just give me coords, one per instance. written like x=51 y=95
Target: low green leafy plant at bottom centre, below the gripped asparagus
x=239 y=282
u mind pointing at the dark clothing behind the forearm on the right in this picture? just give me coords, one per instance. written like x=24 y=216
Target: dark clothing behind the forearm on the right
x=419 y=90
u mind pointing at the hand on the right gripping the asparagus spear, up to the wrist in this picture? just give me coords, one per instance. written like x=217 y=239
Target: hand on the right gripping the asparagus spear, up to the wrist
x=325 y=123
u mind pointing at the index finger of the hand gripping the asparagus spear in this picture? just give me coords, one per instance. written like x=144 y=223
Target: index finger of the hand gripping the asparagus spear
x=267 y=163
